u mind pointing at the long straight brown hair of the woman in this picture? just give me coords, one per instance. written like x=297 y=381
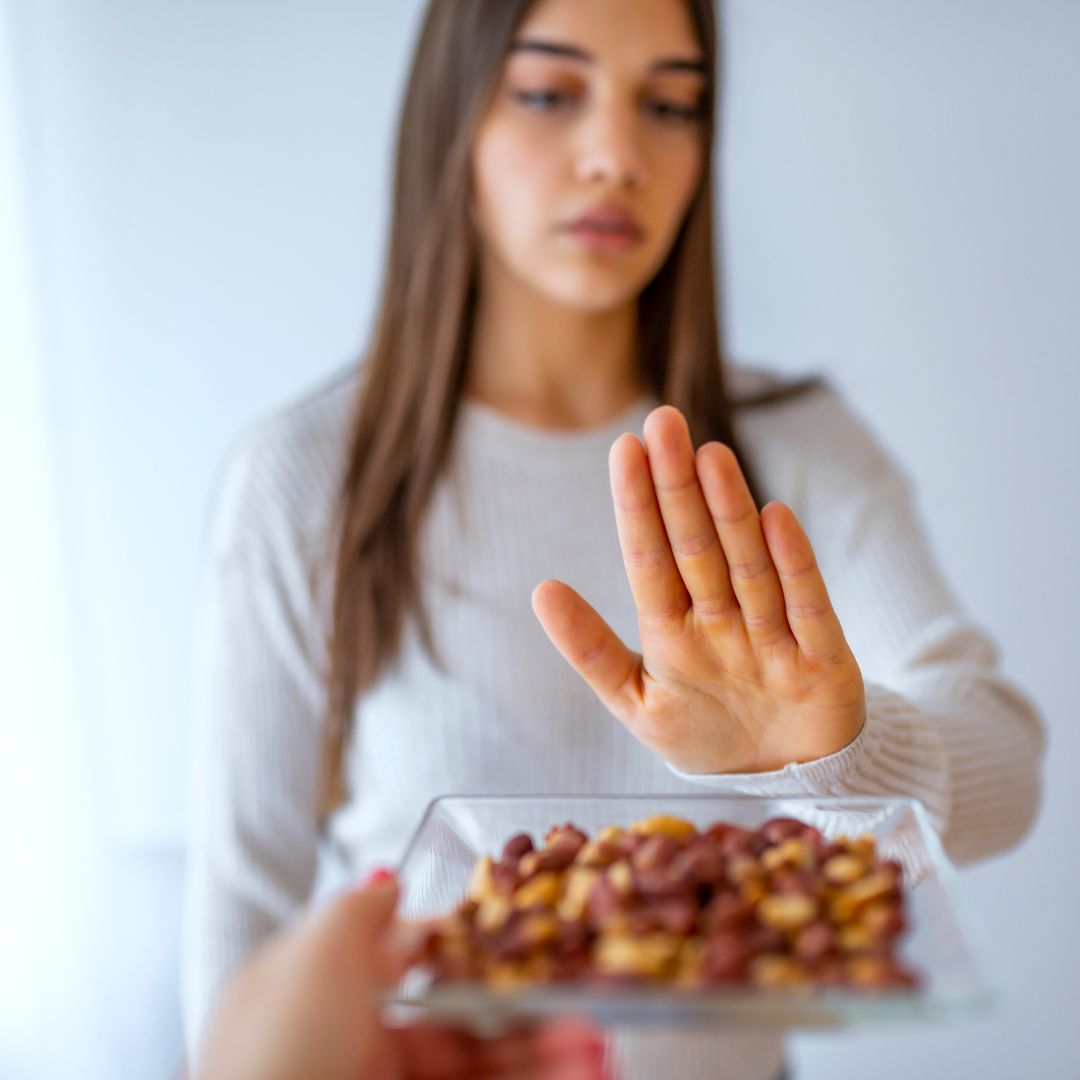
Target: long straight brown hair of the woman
x=415 y=367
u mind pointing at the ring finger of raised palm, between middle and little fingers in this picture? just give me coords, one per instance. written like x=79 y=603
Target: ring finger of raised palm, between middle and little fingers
x=753 y=575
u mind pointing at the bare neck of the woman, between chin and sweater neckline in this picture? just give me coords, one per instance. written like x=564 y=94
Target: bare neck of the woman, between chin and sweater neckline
x=548 y=364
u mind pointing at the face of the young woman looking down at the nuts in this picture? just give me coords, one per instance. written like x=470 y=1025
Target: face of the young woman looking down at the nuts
x=599 y=106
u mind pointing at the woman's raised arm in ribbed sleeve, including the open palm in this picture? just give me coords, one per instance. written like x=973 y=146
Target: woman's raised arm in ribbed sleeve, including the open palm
x=816 y=654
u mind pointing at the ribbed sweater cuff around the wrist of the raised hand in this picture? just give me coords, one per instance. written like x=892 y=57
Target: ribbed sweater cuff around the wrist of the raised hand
x=896 y=753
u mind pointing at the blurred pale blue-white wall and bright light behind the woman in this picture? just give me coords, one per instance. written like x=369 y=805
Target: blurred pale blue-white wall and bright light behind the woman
x=193 y=208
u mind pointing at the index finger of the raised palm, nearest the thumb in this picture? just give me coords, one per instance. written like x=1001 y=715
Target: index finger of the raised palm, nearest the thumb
x=658 y=588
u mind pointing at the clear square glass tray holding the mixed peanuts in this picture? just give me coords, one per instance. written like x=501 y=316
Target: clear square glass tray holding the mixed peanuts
x=946 y=943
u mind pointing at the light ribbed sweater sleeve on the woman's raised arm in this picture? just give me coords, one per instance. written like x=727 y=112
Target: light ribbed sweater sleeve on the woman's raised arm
x=943 y=723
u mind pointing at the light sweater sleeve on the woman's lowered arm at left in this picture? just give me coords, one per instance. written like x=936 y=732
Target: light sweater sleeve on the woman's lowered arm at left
x=256 y=742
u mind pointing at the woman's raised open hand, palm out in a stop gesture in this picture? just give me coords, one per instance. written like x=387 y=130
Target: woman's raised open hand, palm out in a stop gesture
x=744 y=666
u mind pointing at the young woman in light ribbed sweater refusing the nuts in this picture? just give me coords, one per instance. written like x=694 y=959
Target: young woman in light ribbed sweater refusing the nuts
x=370 y=641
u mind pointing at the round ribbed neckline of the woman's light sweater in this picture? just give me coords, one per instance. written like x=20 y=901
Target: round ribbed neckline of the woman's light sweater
x=487 y=426
